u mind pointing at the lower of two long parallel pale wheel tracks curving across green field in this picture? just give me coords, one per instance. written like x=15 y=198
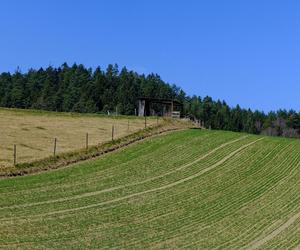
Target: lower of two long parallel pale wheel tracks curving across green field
x=230 y=155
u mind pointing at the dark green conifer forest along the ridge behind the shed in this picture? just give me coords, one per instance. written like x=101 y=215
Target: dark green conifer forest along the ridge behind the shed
x=79 y=89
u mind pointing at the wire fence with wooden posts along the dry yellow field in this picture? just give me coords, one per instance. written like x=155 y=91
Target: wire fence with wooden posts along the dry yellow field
x=39 y=147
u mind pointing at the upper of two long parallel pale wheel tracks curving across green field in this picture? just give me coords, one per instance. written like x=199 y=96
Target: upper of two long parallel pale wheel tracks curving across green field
x=89 y=194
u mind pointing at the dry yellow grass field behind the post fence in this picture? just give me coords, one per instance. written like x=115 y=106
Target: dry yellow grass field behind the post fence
x=34 y=131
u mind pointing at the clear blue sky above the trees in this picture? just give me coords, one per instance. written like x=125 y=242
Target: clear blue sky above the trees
x=246 y=52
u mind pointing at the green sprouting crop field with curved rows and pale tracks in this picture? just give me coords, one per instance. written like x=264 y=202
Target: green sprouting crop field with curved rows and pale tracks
x=189 y=189
